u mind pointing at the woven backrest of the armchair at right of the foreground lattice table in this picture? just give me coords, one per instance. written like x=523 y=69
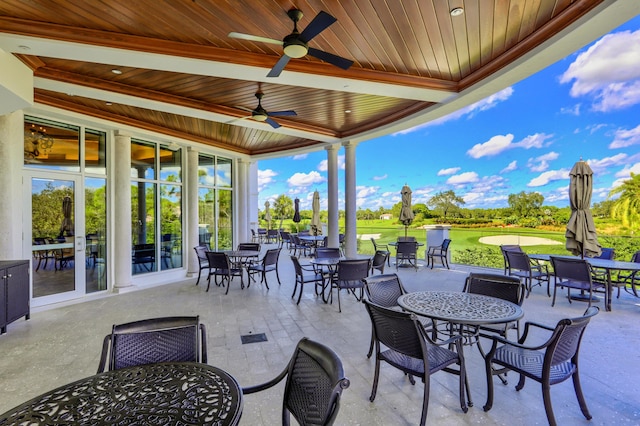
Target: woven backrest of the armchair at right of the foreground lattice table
x=566 y=338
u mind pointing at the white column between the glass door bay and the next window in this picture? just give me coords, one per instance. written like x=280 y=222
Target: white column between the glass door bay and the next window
x=122 y=212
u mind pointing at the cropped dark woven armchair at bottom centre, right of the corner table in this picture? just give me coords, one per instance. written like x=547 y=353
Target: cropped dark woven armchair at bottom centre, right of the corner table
x=314 y=384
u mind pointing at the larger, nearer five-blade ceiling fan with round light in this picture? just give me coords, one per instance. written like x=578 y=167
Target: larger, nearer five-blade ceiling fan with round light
x=296 y=44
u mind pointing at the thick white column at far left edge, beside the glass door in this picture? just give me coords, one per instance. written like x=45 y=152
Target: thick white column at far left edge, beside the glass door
x=11 y=160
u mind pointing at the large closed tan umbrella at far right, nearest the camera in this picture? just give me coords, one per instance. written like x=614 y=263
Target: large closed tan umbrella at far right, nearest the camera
x=581 y=230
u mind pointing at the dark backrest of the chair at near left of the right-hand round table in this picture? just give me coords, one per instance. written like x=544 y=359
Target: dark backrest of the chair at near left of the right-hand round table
x=398 y=330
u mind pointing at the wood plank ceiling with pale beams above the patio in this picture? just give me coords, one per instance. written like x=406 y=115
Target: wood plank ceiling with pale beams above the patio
x=182 y=75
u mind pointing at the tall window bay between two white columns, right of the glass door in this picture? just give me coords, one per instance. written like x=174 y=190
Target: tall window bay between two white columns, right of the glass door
x=156 y=207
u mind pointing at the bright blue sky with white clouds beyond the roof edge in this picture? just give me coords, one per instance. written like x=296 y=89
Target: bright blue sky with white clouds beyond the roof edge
x=524 y=138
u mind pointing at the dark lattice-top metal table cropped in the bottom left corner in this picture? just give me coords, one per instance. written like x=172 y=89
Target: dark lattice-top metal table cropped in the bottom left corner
x=164 y=393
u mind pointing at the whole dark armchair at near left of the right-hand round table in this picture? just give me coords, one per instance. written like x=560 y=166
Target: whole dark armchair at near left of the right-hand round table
x=409 y=349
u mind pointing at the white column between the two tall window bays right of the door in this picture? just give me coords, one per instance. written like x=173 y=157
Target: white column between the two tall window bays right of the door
x=191 y=207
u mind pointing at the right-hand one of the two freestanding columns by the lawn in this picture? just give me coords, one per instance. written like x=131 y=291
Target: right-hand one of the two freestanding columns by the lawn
x=350 y=231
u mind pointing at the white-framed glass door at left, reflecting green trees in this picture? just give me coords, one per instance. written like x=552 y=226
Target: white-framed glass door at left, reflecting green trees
x=57 y=236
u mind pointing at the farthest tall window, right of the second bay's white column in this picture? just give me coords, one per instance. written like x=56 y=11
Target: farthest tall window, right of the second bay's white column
x=215 y=206
